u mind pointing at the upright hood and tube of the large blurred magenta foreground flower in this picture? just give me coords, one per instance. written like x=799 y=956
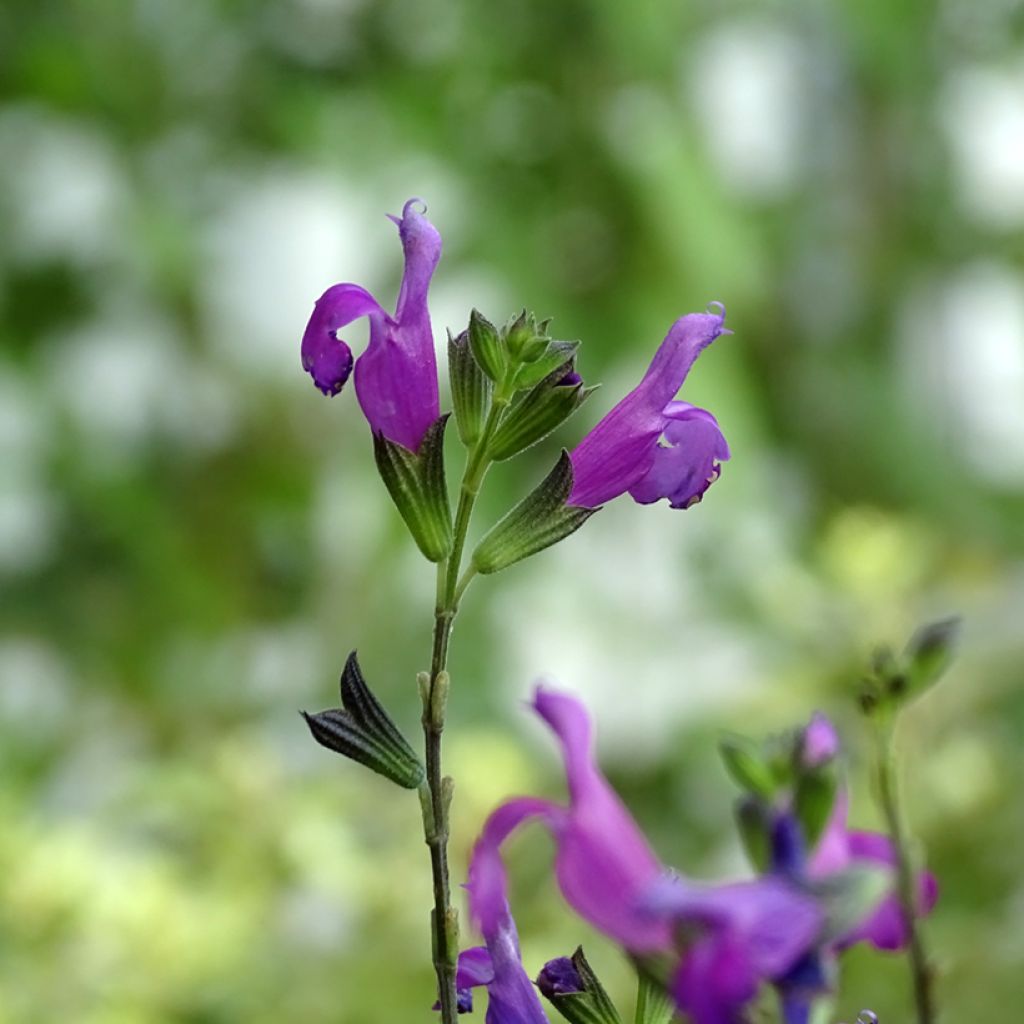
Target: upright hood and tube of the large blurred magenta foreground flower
x=605 y=865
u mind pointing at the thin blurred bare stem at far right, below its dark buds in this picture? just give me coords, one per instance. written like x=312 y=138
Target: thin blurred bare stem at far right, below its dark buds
x=889 y=798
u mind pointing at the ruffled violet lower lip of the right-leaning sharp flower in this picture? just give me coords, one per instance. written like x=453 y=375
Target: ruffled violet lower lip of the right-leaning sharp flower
x=689 y=463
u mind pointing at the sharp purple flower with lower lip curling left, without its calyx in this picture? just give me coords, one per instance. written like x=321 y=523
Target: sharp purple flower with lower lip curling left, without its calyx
x=397 y=376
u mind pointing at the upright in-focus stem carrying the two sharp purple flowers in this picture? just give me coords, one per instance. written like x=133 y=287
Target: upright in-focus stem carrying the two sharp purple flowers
x=444 y=921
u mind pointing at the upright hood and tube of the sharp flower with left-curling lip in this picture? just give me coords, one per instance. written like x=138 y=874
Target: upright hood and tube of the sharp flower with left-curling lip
x=397 y=377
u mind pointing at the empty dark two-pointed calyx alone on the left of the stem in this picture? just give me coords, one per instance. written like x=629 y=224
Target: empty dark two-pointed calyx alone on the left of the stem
x=363 y=732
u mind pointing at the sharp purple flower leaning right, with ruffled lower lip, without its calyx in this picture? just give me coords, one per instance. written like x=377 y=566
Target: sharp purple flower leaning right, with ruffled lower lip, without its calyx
x=651 y=445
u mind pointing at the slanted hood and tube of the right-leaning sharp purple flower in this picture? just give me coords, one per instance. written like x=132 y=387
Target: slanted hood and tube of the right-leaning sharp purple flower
x=620 y=452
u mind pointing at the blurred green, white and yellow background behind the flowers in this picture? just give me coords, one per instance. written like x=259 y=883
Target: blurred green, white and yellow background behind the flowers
x=192 y=538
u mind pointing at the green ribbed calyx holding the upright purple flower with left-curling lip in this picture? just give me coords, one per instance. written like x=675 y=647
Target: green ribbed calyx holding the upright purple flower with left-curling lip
x=416 y=484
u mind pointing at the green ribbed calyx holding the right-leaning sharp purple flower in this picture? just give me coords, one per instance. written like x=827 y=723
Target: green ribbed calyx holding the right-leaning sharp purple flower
x=540 y=521
